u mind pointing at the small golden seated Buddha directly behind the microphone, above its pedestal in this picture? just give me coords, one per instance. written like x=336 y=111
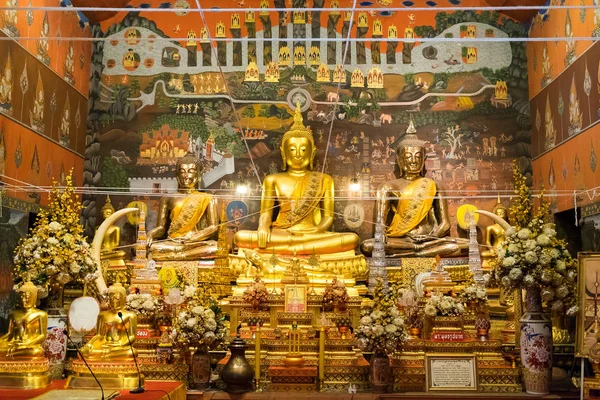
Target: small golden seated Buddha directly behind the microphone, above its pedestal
x=111 y=342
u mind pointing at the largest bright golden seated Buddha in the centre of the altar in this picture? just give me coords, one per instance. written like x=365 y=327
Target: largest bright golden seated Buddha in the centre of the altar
x=305 y=200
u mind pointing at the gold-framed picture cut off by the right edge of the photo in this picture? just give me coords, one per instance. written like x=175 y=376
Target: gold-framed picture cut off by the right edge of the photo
x=588 y=318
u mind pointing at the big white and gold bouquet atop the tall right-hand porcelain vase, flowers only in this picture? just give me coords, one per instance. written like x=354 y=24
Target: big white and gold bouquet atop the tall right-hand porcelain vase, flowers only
x=532 y=257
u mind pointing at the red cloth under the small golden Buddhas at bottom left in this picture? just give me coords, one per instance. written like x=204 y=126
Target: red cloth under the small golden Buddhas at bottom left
x=154 y=391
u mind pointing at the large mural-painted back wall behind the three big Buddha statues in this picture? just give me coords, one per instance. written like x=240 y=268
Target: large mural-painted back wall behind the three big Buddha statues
x=153 y=100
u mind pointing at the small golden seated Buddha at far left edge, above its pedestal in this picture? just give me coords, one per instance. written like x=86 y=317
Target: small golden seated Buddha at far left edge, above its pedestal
x=27 y=328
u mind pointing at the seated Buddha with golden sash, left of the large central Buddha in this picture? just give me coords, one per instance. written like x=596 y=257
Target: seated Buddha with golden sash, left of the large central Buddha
x=187 y=221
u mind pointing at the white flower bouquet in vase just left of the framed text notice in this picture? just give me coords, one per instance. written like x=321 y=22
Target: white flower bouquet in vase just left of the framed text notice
x=382 y=330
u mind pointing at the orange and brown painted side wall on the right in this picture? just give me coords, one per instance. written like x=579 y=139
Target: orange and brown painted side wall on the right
x=565 y=104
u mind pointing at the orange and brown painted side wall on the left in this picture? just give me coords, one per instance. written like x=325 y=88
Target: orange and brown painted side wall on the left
x=43 y=114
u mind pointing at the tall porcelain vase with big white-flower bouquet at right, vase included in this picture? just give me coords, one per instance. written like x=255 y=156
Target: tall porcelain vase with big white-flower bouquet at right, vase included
x=534 y=259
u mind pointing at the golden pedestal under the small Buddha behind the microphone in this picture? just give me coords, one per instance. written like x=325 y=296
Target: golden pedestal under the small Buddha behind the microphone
x=112 y=375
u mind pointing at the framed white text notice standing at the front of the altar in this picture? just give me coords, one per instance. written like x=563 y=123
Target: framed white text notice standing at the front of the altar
x=450 y=372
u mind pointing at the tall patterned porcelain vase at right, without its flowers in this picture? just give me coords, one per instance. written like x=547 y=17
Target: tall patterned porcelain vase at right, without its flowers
x=536 y=345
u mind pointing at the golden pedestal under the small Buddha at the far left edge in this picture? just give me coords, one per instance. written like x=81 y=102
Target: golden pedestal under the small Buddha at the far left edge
x=24 y=374
